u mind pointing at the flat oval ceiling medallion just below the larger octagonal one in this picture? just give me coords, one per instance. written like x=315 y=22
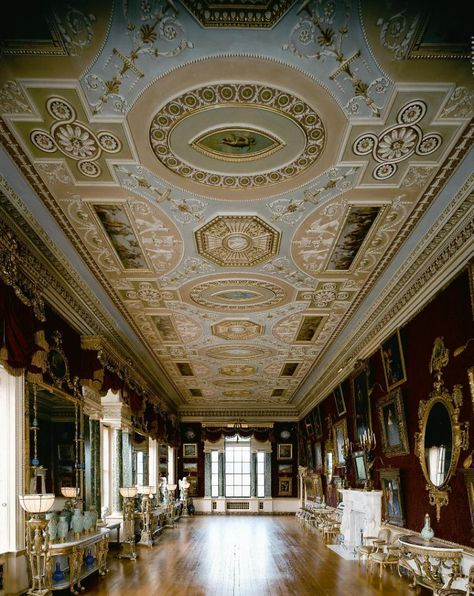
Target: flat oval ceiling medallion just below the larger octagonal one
x=233 y=295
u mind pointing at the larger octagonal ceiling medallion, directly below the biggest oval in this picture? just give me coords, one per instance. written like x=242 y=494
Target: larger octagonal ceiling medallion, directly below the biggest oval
x=237 y=241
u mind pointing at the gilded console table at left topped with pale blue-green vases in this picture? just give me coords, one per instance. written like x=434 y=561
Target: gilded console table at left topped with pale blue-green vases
x=75 y=552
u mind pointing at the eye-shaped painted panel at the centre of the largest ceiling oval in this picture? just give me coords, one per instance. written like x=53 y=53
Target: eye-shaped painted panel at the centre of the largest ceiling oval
x=237 y=144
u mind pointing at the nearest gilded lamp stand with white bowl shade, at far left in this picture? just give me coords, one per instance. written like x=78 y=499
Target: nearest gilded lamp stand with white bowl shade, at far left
x=37 y=541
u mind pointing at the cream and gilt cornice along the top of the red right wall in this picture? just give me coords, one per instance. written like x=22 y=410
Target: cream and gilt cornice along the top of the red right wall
x=438 y=250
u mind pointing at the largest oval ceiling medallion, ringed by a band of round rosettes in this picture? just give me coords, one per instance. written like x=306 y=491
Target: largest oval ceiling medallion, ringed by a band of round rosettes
x=236 y=96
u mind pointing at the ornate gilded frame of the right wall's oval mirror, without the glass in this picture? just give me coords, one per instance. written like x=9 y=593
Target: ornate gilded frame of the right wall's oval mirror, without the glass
x=438 y=495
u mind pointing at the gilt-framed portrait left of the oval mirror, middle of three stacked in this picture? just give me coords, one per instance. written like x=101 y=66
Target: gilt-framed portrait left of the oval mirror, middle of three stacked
x=392 y=424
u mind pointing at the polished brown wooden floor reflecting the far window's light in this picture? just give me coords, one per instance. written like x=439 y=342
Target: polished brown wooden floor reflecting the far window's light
x=241 y=556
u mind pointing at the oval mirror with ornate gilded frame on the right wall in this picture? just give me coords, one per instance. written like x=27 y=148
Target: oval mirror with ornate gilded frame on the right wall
x=441 y=437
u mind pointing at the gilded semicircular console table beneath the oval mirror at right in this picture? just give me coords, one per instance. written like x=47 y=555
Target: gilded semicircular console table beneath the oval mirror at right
x=430 y=559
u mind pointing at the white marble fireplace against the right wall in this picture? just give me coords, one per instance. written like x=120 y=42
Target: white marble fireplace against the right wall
x=362 y=512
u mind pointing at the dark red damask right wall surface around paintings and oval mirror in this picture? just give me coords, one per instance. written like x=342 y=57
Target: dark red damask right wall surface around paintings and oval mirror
x=450 y=315
